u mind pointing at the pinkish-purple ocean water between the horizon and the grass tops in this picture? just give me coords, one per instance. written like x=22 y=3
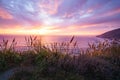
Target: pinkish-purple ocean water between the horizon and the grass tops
x=82 y=41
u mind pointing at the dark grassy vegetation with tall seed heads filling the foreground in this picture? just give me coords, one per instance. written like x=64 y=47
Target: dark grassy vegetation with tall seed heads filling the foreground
x=101 y=61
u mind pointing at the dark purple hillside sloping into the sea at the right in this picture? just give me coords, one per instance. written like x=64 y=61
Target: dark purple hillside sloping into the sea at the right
x=114 y=34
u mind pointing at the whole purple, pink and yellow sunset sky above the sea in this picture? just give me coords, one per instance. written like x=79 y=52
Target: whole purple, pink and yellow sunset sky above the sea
x=59 y=17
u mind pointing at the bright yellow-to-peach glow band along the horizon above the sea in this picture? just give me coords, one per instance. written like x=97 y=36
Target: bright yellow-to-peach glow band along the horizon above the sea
x=45 y=31
